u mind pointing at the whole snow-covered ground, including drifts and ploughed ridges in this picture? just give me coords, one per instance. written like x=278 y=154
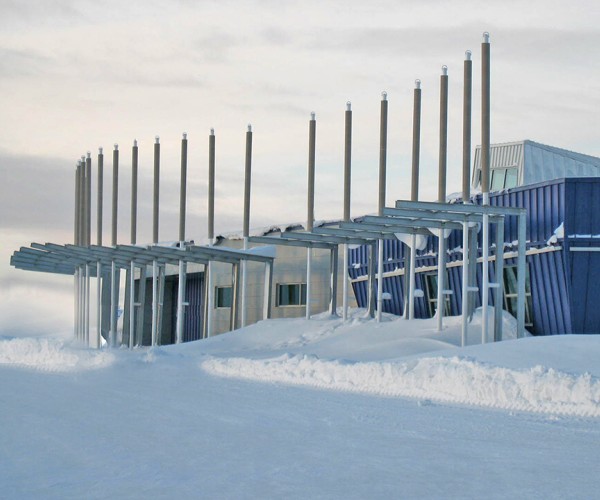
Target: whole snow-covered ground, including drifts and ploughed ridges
x=304 y=409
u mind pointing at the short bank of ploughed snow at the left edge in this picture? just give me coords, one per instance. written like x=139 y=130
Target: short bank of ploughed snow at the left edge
x=51 y=355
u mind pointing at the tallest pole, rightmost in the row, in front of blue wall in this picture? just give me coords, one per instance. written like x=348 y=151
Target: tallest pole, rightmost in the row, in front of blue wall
x=485 y=177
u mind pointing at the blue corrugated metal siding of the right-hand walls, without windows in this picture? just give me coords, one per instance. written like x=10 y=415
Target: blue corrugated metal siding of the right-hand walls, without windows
x=564 y=284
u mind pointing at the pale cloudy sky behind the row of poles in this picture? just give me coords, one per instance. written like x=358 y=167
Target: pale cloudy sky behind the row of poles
x=79 y=75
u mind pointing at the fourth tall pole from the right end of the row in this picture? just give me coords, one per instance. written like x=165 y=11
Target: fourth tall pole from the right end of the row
x=414 y=196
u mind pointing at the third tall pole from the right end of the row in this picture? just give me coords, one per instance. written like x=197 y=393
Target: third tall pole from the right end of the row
x=443 y=155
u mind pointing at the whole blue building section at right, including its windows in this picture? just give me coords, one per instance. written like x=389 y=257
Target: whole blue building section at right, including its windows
x=563 y=260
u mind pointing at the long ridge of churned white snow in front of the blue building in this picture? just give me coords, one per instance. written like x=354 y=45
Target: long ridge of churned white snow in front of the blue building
x=456 y=380
